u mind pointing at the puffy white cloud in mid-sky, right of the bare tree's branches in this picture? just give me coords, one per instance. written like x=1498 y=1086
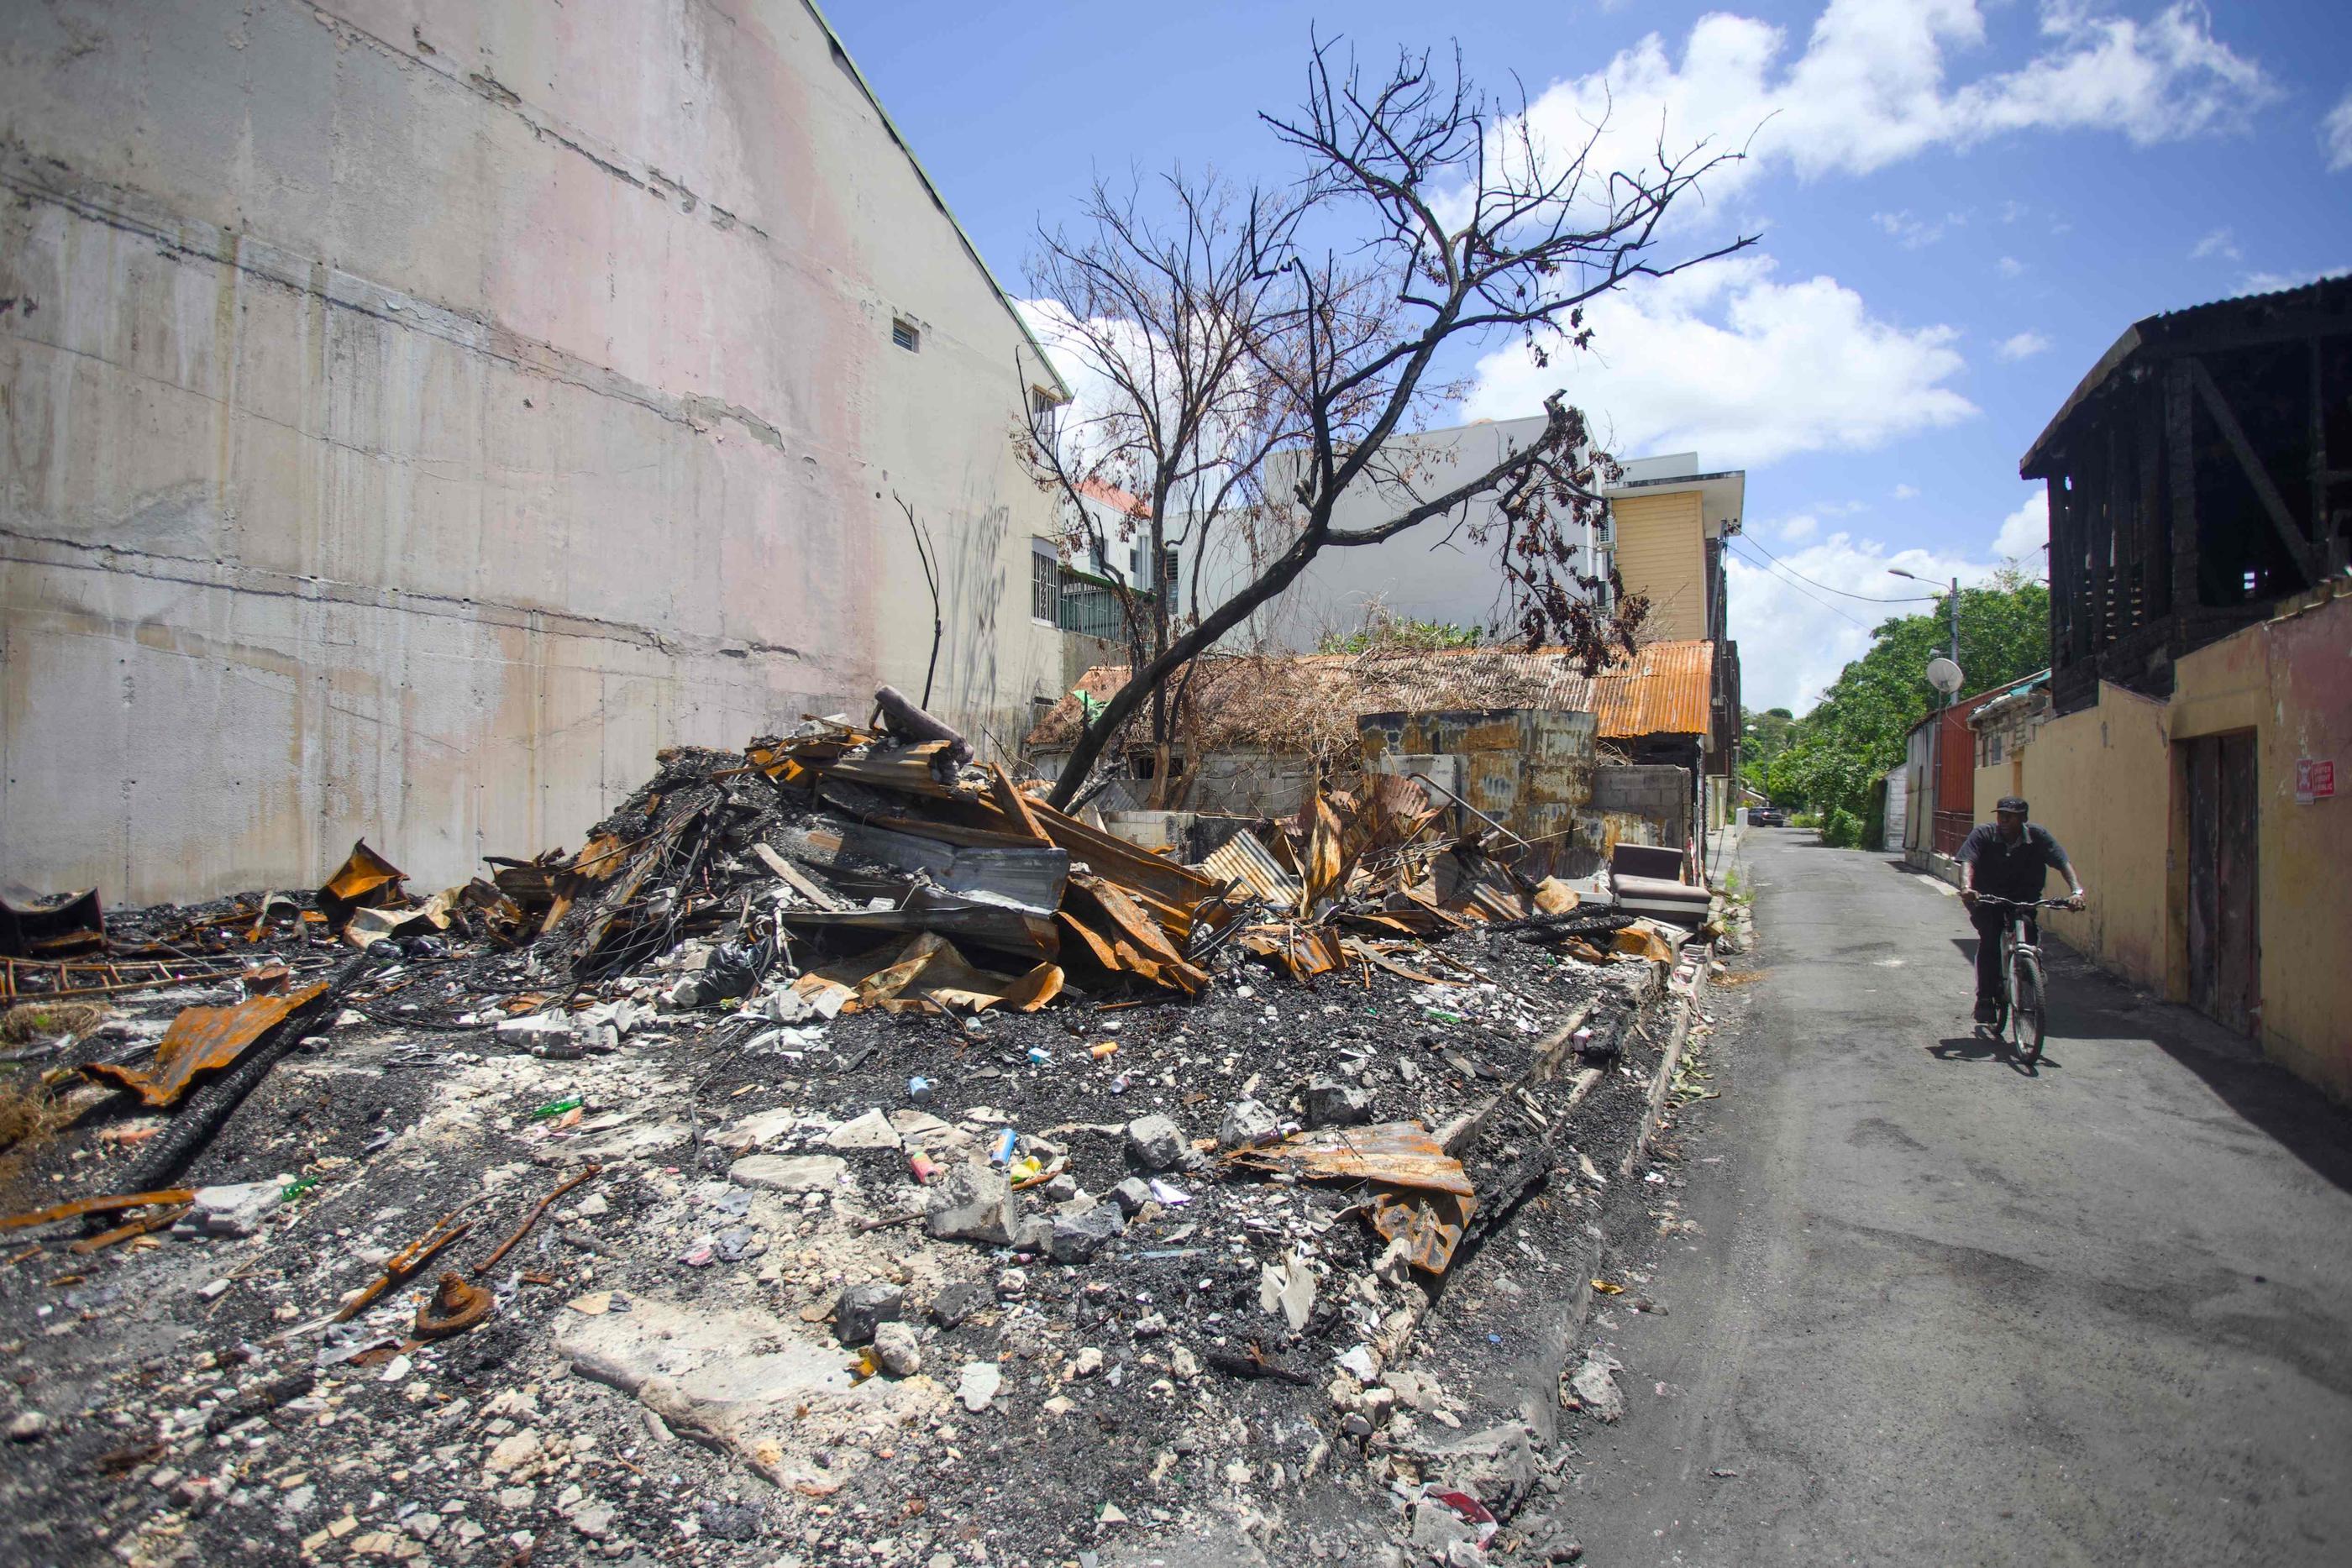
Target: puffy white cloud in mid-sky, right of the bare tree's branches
x=1739 y=368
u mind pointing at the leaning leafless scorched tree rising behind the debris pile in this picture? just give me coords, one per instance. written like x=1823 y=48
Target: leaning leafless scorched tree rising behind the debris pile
x=1267 y=351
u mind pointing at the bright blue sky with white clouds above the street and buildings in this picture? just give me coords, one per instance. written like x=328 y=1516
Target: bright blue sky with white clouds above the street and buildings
x=1960 y=206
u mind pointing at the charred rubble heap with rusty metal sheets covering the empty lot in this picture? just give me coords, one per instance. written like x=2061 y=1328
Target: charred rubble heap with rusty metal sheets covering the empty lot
x=841 y=1158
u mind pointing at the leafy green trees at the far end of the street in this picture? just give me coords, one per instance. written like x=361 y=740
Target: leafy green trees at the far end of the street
x=1857 y=732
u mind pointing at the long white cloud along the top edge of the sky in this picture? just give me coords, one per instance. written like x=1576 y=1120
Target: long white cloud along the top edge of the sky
x=1871 y=88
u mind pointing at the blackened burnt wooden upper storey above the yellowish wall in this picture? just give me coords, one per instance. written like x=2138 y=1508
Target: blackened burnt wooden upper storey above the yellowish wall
x=2198 y=476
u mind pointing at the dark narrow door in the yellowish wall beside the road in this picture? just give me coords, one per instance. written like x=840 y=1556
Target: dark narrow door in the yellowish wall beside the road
x=2226 y=949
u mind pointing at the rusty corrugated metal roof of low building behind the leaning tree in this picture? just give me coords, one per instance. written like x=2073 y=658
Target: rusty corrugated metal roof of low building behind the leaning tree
x=1311 y=702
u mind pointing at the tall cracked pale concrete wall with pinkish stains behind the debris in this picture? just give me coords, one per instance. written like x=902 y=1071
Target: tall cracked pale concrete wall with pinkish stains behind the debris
x=415 y=413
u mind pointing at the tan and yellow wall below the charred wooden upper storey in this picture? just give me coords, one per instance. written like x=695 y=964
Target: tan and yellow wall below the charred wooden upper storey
x=2109 y=784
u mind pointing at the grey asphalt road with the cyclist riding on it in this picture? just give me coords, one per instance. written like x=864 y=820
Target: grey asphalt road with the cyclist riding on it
x=1951 y=1313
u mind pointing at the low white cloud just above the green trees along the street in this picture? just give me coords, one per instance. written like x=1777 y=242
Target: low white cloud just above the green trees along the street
x=1796 y=634
